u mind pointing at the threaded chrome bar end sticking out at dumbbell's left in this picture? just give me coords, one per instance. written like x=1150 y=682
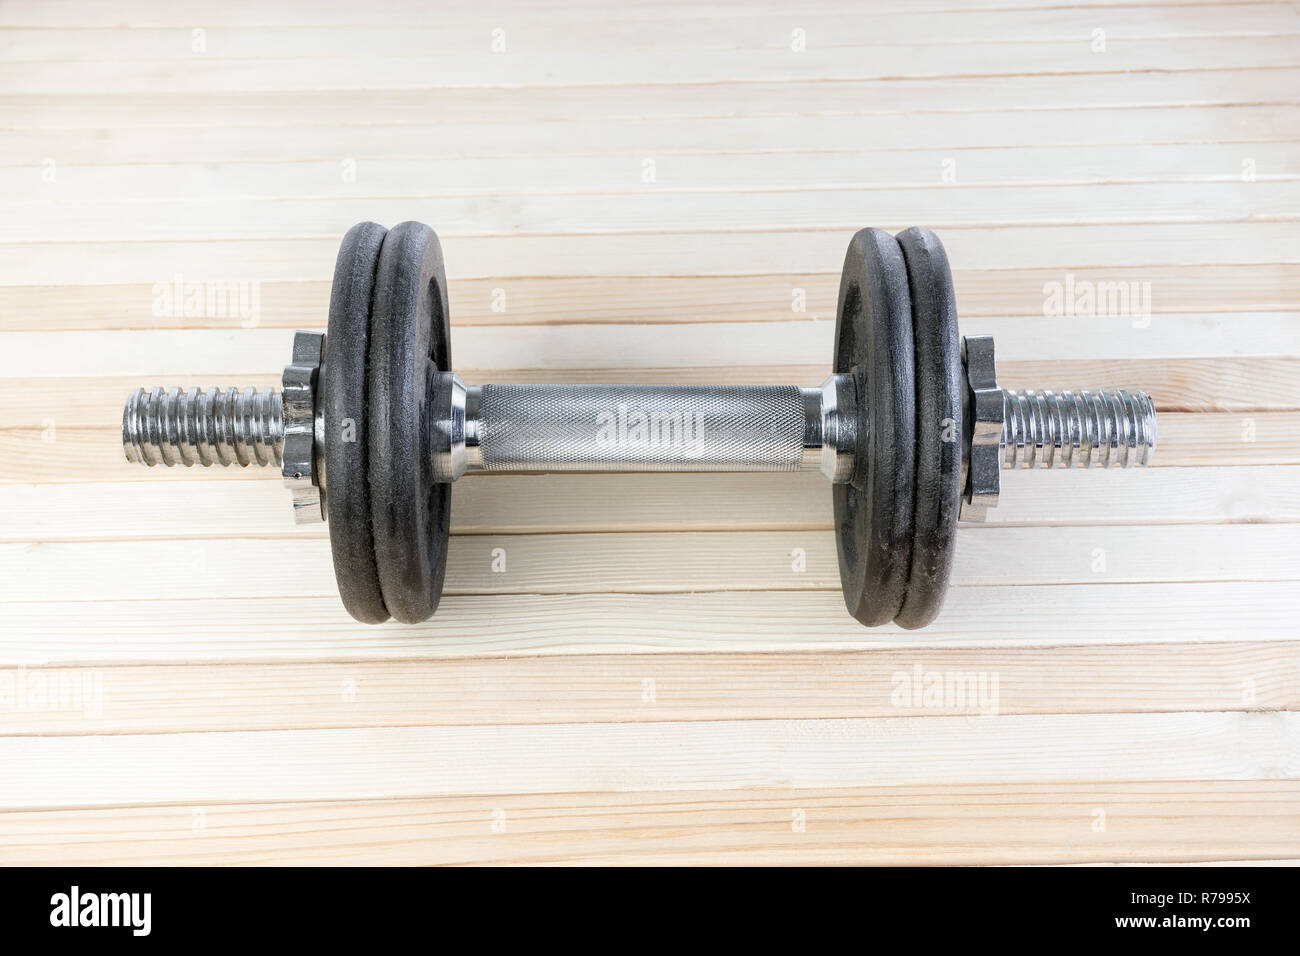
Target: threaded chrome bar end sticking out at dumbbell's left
x=203 y=427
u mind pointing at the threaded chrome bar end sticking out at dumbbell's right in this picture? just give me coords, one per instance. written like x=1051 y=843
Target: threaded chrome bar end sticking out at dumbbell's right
x=1077 y=430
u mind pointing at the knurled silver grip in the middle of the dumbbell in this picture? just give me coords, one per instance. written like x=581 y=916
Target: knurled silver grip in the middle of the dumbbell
x=647 y=427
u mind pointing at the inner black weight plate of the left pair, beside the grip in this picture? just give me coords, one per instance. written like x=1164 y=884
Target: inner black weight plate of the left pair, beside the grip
x=410 y=512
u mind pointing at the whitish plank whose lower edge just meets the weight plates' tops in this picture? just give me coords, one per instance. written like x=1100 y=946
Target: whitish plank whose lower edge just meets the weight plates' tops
x=627 y=214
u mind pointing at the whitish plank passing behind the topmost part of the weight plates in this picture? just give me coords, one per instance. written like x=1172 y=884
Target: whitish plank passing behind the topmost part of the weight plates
x=664 y=254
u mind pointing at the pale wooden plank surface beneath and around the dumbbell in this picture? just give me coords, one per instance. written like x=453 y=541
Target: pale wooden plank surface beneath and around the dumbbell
x=651 y=680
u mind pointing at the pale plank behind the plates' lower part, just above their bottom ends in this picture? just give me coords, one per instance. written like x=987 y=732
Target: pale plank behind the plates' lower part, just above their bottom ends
x=645 y=563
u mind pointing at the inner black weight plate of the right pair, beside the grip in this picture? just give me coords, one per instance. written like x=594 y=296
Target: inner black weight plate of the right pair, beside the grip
x=873 y=513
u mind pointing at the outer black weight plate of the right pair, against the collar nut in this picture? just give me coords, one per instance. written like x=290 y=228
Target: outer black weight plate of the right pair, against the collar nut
x=939 y=431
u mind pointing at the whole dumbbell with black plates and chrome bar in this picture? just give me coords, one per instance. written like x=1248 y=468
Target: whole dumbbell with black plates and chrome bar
x=371 y=426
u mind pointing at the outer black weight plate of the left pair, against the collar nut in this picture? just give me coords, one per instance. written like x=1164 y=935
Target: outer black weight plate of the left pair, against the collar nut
x=343 y=380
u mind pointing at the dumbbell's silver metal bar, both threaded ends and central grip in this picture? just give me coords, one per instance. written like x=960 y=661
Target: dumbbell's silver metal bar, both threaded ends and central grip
x=622 y=429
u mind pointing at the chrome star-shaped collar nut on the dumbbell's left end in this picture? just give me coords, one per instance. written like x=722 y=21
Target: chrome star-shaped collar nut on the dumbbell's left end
x=301 y=460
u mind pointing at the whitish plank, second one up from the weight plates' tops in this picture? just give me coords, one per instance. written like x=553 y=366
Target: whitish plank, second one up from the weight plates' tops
x=722 y=171
